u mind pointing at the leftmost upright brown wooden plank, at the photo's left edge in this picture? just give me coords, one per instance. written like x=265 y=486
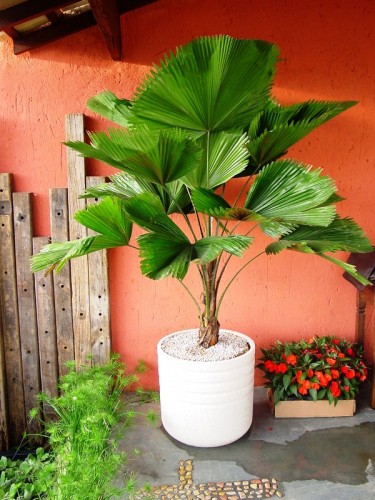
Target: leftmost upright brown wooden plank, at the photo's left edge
x=9 y=314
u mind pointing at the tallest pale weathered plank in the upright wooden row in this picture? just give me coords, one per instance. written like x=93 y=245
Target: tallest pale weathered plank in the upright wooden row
x=79 y=267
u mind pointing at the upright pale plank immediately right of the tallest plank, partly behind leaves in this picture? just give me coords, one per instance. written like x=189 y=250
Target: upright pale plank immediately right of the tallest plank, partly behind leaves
x=99 y=296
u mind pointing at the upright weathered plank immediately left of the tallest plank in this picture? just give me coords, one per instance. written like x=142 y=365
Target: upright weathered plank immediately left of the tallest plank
x=62 y=285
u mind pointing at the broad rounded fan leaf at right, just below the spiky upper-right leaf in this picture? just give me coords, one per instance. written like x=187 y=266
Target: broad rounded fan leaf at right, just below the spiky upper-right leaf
x=291 y=193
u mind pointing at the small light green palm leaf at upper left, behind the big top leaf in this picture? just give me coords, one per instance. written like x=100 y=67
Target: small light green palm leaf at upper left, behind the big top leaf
x=108 y=105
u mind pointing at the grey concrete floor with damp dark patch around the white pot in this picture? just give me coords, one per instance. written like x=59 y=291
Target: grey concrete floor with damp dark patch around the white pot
x=312 y=459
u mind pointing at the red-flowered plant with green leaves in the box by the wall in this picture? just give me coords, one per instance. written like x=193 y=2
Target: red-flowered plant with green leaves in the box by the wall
x=321 y=368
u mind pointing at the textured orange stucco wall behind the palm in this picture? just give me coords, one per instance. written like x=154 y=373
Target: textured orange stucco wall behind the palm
x=327 y=53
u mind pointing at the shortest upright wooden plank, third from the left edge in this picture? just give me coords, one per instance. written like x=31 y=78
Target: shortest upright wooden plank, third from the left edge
x=46 y=325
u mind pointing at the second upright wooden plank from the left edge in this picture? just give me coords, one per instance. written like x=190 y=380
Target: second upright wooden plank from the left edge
x=22 y=214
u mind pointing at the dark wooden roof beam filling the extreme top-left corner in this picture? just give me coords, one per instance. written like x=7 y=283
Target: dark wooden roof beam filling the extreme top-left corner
x=28 y=10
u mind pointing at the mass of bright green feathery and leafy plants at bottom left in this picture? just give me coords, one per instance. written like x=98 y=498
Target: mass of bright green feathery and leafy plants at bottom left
x=83 y=457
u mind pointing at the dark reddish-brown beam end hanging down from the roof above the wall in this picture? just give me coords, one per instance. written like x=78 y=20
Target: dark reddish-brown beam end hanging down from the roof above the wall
x=107 y=16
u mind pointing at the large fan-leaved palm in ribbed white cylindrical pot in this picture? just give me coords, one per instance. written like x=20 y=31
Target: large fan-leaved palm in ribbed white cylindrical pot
x=202 y=125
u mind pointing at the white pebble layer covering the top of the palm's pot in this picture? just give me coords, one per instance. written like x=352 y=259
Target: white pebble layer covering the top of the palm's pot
x=184 y=345
